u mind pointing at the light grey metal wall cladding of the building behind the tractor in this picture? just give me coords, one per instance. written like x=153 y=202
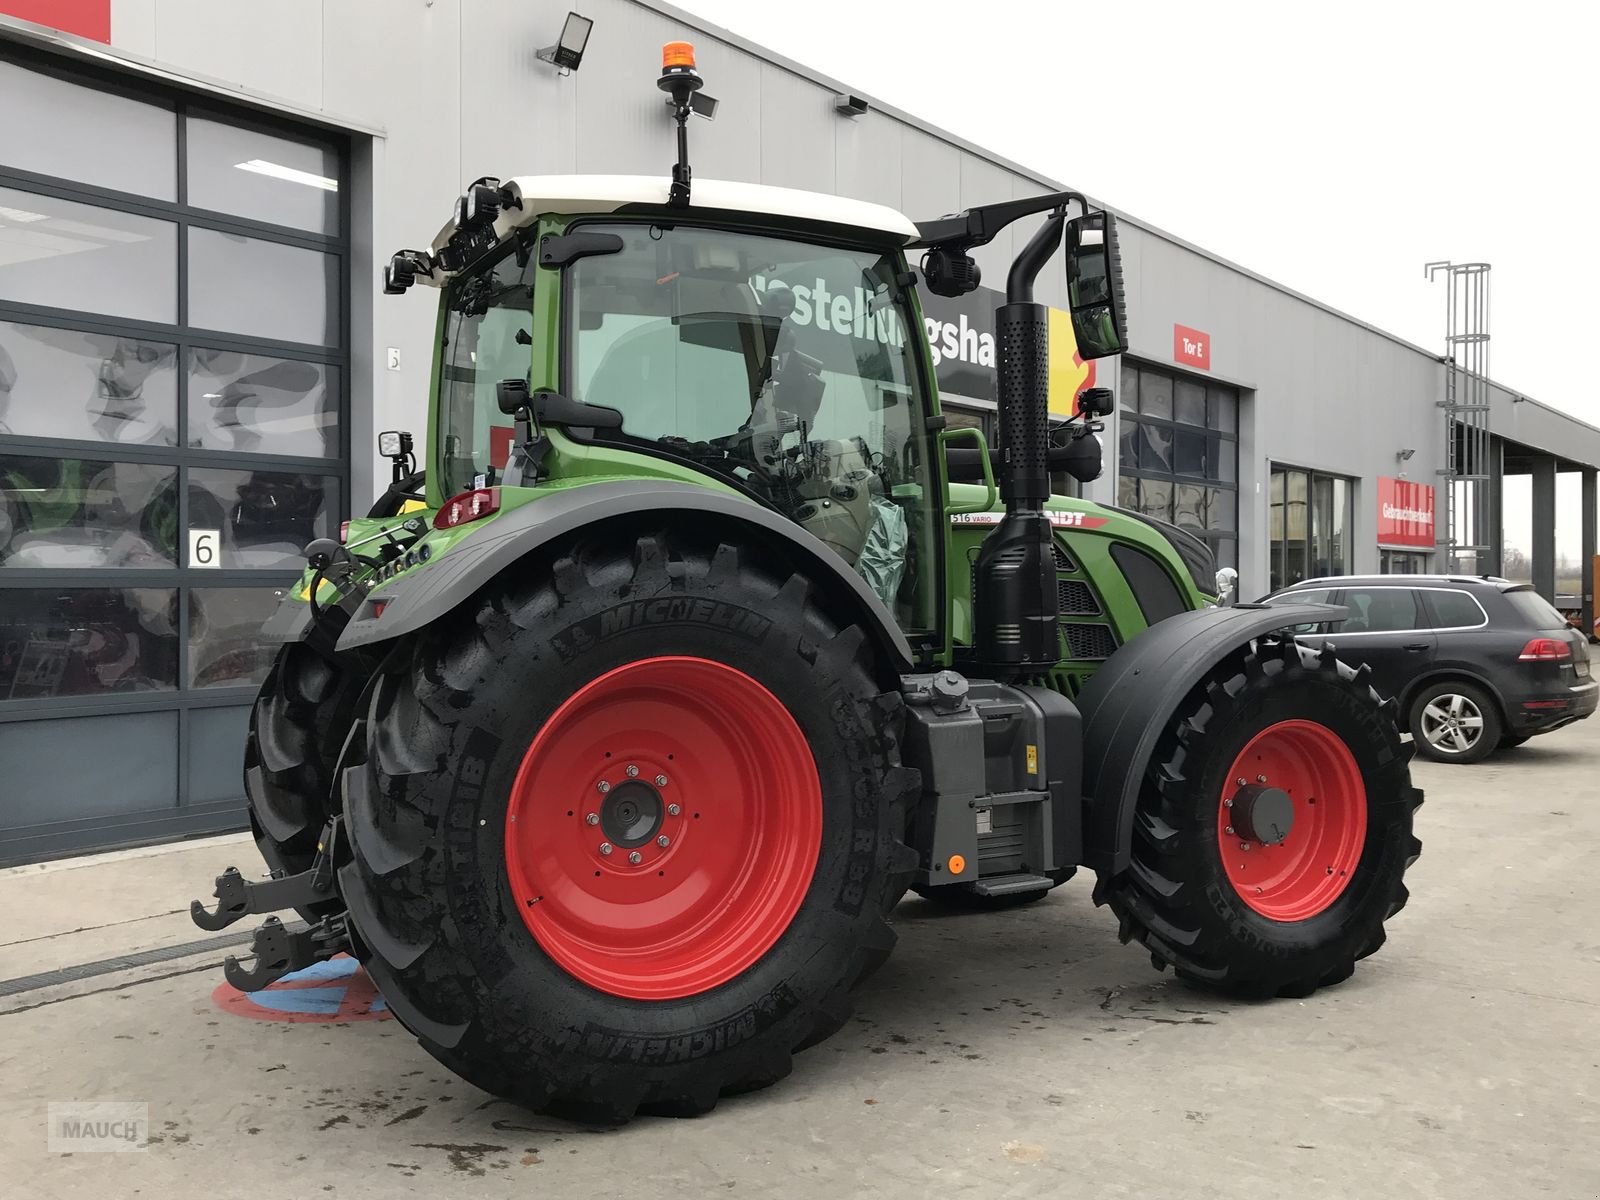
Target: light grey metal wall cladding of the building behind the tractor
x=458 y=92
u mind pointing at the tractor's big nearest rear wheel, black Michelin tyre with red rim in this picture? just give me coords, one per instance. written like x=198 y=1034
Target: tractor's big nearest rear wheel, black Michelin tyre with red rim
x=684 y=782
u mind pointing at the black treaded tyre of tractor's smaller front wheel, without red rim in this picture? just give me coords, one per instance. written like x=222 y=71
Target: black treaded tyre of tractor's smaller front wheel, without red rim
x=1177 y=900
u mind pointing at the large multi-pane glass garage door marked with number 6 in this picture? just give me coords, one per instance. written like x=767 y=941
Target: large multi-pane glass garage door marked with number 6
x=174 y=431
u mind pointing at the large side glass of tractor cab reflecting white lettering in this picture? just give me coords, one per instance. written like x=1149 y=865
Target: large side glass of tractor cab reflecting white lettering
x=780 y=366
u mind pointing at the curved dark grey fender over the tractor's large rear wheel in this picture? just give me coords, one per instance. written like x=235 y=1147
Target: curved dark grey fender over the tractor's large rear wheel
x=422 y=598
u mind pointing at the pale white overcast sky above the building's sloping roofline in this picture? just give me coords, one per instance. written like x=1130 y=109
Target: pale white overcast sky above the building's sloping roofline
x=1332 y=148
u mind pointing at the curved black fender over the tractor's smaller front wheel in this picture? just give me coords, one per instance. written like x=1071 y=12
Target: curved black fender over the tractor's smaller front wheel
x=1130 y=702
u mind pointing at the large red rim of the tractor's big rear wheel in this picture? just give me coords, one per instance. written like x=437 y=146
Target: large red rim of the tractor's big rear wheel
x=737 y=799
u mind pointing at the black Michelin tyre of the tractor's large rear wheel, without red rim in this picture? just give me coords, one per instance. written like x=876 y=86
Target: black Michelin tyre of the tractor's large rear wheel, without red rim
x=449 y=724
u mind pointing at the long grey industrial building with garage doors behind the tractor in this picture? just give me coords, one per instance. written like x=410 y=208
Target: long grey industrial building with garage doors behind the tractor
x=196 y=202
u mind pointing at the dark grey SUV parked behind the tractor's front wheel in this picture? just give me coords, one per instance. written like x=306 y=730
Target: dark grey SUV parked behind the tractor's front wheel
x=1476 y=663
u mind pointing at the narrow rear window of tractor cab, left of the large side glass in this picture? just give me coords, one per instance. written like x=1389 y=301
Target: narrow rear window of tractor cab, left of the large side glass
x=489 y=326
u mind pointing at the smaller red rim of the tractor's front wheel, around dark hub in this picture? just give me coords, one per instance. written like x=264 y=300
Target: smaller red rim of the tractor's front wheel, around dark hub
x=1313 y=866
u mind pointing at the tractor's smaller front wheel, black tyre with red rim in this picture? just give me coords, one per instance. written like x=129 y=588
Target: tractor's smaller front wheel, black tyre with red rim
x=1273 y=830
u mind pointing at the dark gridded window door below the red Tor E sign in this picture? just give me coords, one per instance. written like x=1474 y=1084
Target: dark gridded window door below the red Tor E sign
x=1178 y=455
